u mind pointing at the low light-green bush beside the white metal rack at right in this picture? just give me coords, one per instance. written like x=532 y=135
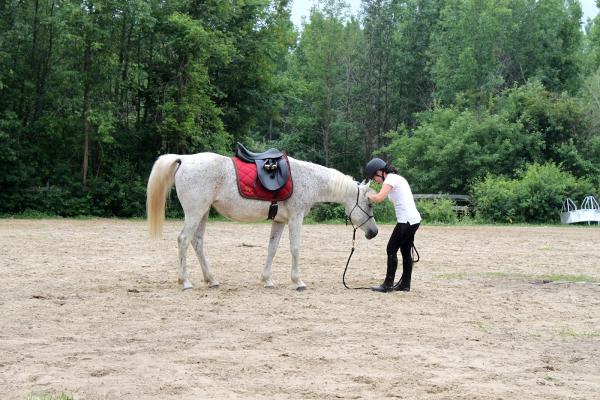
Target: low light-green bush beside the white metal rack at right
x=536 y=196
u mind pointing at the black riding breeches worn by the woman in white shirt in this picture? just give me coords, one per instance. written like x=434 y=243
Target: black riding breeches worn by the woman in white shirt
x=402 y=239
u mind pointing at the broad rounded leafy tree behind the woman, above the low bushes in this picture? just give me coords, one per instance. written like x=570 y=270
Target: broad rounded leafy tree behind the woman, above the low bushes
x=453 y=147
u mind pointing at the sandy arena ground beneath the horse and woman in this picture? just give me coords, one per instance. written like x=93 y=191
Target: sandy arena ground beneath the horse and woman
x=92 y=309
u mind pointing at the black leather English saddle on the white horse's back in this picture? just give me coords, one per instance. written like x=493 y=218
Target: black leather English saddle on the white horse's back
x=271 y=166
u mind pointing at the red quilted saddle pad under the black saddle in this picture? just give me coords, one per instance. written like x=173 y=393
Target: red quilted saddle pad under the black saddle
x=250 y=187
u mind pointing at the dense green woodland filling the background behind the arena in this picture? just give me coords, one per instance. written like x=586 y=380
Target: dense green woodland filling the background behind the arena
x=474 y=97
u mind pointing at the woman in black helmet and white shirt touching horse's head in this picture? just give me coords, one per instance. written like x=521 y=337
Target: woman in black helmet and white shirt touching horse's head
x=408 y=219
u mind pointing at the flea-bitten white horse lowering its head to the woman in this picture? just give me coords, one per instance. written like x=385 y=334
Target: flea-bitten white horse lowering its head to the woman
x=206 y=179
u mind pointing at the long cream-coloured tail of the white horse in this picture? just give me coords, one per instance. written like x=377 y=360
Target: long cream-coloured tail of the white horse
x=159 y=184
